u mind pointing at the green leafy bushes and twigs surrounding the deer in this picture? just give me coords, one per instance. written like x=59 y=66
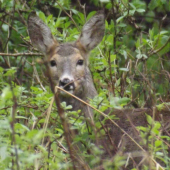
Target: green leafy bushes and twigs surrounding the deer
x=130 y=68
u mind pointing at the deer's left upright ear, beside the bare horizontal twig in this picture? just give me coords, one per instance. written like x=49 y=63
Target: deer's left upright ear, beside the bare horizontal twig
x=40 y=33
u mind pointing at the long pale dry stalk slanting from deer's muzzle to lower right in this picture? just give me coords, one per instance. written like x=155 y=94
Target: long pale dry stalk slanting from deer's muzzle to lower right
x=110 y=120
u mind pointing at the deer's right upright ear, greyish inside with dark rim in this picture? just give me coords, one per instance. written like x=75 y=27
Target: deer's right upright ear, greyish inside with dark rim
x=92 y=32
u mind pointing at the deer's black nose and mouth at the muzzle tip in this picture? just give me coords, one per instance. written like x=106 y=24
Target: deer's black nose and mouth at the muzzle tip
x=67 y=84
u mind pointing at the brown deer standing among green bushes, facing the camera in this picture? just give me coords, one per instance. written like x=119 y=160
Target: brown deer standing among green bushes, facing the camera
x=68 y=67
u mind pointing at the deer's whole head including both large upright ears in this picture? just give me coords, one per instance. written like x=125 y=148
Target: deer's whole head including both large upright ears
x=67 y=62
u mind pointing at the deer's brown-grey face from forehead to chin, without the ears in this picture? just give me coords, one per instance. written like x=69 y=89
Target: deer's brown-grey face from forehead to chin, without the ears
x=68 y=68
